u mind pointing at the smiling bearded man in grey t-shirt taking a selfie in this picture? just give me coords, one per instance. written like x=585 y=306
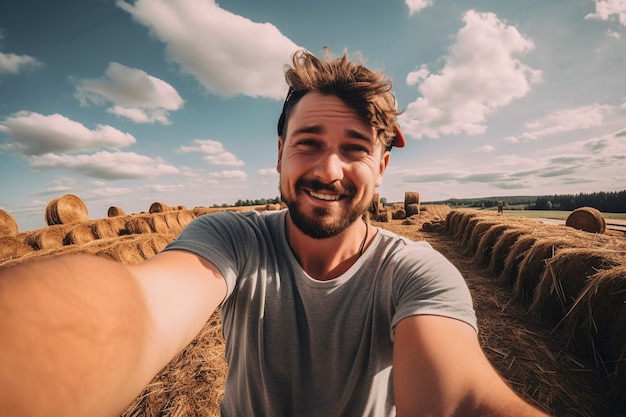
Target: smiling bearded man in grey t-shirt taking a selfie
x=323 y=314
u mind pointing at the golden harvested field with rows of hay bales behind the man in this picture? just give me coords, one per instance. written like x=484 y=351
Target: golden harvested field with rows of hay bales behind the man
x=550 y=301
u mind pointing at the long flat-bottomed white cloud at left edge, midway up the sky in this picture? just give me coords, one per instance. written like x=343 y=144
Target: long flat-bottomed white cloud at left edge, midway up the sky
x=36 y=134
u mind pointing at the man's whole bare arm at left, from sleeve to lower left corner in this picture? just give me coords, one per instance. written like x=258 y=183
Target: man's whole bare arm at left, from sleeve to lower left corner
x=82 y=335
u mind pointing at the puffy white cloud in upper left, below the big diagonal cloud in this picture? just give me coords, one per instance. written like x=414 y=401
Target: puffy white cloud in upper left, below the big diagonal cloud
x=135 y=94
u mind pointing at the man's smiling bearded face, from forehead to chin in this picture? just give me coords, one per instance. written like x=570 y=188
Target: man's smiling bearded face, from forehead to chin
x=330 y=165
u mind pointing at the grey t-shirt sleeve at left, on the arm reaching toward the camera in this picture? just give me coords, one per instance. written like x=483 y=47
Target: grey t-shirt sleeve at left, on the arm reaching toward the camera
x=221 y=238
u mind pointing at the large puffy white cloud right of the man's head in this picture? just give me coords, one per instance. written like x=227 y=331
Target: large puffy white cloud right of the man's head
x=480 y=75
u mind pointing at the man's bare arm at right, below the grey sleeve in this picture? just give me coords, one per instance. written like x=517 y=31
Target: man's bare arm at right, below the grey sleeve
x=440 y=369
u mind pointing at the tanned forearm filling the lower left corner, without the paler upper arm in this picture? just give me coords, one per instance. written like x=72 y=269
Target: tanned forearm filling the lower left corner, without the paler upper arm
x=72 y=335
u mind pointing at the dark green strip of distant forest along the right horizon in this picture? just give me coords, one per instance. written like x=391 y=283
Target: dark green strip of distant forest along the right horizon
x=609 y=202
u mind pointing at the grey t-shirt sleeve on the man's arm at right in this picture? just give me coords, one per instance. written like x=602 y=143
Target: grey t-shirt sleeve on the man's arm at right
x=426 y=283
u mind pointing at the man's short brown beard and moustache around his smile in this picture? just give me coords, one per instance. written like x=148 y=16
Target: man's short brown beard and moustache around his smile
x=319 y=224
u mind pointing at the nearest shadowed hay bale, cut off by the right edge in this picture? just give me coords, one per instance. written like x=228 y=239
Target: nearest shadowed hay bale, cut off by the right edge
x=594 y=326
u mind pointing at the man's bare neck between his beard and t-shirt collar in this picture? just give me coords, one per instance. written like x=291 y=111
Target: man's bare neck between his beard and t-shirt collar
x=328 y=258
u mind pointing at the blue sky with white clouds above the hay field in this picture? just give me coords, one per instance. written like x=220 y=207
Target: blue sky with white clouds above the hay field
x=126 y=103
